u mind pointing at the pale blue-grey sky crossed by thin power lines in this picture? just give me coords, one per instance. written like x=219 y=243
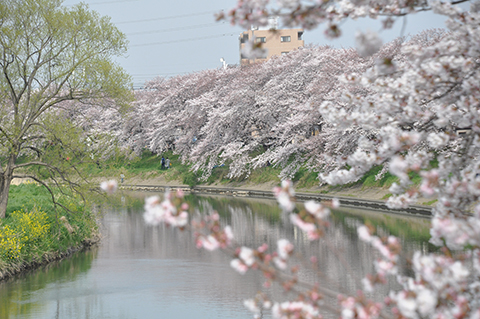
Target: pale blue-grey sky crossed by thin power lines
x=169 y=38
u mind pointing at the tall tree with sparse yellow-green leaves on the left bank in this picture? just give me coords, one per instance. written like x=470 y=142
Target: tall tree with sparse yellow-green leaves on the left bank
x=53 y=57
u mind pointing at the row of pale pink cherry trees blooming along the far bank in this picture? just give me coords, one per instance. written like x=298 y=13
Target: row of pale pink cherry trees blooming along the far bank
x=223 y=116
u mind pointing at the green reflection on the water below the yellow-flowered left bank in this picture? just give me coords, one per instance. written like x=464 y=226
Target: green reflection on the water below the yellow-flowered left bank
x=18 y=295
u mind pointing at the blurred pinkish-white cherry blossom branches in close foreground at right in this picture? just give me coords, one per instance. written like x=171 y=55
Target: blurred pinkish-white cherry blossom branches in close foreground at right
x=415 y=108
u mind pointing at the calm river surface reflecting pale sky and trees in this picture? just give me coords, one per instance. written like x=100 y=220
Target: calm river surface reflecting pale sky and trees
x=139 y=271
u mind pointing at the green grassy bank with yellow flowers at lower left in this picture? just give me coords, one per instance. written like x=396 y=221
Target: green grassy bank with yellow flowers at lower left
x=35 y=232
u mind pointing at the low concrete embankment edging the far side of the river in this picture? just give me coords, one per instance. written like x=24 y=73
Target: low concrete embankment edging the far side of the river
x=347 y=202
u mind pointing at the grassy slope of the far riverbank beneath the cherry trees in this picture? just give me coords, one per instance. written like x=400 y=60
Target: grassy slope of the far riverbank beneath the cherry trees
x=146 y=170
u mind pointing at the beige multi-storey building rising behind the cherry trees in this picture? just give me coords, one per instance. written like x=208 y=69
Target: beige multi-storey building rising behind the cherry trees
x=277 y=42
